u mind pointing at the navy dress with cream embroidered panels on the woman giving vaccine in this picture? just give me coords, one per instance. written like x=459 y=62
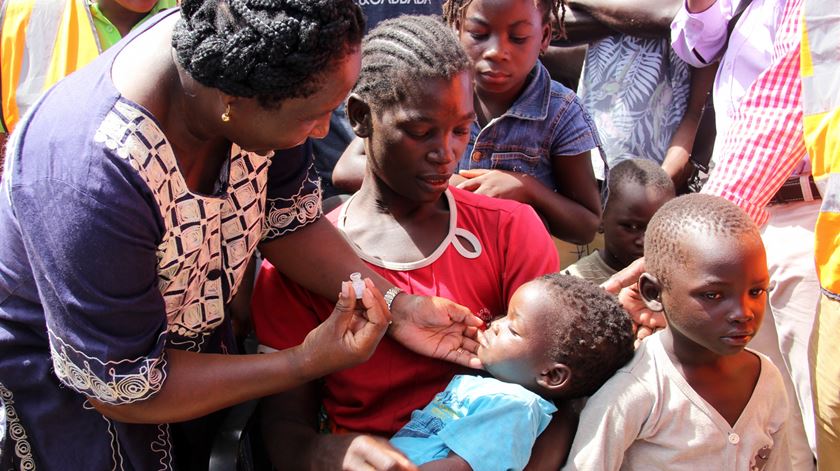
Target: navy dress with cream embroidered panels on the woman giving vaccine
x=107 y=258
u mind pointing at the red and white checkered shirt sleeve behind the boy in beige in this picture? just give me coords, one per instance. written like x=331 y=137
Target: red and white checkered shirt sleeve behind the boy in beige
x=765 y=142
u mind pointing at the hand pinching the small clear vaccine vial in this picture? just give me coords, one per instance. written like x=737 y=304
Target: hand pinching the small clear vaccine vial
x=351 y=333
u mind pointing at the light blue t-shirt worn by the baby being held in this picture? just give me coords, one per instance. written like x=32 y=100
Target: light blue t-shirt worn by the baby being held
x=491 y=424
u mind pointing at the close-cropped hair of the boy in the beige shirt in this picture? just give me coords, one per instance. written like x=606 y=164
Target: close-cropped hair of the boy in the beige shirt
x=688 y=215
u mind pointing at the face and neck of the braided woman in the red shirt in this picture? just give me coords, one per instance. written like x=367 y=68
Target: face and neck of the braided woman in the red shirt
x=412 y=148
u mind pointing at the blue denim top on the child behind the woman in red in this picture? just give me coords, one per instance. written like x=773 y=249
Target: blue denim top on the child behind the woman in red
x=546 y=120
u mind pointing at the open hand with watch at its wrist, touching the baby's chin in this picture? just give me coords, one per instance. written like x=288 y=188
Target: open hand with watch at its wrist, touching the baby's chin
x=437 y=327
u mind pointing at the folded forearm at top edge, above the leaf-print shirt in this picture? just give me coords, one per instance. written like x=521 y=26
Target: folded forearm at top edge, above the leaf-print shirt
x=646 y=18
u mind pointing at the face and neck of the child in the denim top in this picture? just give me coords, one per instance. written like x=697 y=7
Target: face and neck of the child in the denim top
x=503 y=38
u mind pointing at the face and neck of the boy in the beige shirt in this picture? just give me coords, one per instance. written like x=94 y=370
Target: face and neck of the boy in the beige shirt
x=714 y=306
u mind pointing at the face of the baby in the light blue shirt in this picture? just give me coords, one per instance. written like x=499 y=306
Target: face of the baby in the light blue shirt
x=514 y=347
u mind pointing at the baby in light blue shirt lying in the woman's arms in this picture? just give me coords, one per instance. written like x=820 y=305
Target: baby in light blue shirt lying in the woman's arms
x=562 y=338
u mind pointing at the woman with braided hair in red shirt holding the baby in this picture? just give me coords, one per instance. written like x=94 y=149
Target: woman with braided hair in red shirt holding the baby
x=413 y=106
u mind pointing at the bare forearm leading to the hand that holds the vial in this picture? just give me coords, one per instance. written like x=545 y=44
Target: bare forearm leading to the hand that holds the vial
x=231 y=378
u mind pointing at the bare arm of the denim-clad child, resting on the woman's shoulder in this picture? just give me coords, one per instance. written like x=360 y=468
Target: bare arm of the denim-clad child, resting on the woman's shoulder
x=572 y=214
